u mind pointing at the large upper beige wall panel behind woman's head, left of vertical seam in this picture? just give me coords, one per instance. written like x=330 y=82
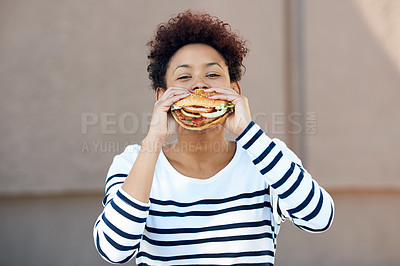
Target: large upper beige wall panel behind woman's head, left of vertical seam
x=65 y=63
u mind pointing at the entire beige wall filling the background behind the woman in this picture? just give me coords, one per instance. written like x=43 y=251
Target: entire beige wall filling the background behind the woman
x=64 y=62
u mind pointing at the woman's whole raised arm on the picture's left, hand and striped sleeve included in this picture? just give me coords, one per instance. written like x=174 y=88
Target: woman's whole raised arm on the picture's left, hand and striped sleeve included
x=119 y=228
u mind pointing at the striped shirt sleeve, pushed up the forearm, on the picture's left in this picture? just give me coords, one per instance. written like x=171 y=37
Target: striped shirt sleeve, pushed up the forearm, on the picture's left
x=118 y=230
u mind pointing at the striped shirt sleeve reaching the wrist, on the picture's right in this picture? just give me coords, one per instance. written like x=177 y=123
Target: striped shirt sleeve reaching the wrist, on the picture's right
x=299 y=197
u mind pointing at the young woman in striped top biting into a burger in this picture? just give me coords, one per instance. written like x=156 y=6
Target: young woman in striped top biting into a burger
x=204 y=199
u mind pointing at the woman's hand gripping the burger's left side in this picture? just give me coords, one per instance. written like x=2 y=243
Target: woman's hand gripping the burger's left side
x=162 y=124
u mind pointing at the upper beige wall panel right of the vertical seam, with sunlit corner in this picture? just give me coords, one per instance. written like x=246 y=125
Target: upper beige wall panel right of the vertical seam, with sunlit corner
x=353 y=83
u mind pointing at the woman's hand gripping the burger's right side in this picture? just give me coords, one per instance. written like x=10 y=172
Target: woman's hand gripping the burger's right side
x=241 y=117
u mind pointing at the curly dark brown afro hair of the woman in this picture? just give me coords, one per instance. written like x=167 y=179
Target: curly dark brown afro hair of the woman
x=194 y=27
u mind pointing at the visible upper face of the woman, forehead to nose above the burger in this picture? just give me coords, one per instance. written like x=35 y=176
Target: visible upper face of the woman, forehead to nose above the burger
x=197 y=66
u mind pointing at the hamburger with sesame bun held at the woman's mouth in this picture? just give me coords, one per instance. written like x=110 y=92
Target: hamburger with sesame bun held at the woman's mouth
x=198 y=112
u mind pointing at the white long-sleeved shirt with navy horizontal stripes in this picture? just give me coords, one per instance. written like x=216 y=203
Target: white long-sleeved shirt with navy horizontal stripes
x=231 y=218
